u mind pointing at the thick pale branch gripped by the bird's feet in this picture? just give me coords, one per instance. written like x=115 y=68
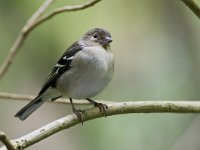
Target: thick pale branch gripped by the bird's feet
x=113 y=109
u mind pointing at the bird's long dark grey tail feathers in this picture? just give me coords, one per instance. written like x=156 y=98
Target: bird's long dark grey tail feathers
x=30 y=108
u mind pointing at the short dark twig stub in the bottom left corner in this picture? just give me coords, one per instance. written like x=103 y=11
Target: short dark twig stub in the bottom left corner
x=6 y=141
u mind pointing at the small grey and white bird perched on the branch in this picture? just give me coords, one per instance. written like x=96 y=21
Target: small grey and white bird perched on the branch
x=82 y=72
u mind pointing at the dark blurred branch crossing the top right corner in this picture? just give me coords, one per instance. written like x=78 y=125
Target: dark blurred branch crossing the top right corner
x=193 y=5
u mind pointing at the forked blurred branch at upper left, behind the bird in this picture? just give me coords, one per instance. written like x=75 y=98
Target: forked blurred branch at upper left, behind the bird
x=33 y=22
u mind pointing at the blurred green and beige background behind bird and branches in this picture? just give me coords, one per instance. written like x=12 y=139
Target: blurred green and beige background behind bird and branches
x=156 y=44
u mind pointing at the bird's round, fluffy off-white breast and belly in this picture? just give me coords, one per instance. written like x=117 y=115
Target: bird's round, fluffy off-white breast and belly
x=90 y=73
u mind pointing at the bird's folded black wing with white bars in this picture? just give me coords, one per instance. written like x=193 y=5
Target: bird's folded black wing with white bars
x=61 y=66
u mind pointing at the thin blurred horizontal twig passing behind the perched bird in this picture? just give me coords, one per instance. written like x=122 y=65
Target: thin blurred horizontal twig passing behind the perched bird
x=12 y=96
